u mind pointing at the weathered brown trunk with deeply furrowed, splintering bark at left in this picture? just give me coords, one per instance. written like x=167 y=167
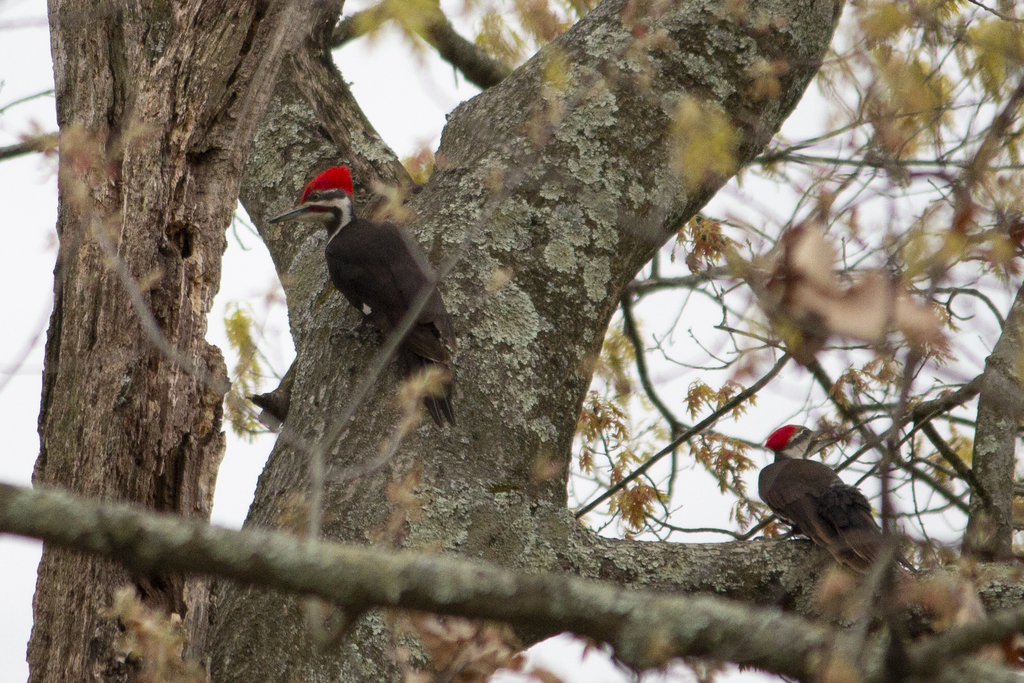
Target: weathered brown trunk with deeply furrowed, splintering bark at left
x=156 y=119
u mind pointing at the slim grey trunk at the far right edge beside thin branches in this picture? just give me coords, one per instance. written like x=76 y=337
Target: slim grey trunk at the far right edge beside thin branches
x=1001 y=411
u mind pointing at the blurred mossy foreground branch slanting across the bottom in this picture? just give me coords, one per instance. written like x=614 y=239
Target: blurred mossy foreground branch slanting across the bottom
x=647 y=629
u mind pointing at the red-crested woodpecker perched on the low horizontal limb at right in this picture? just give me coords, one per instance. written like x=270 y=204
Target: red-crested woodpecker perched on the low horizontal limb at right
x=812 y=498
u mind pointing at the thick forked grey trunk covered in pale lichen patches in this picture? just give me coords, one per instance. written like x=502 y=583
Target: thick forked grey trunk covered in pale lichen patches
x=571 y=207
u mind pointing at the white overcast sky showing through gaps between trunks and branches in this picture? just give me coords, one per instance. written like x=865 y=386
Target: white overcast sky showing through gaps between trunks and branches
x=409 y=113
